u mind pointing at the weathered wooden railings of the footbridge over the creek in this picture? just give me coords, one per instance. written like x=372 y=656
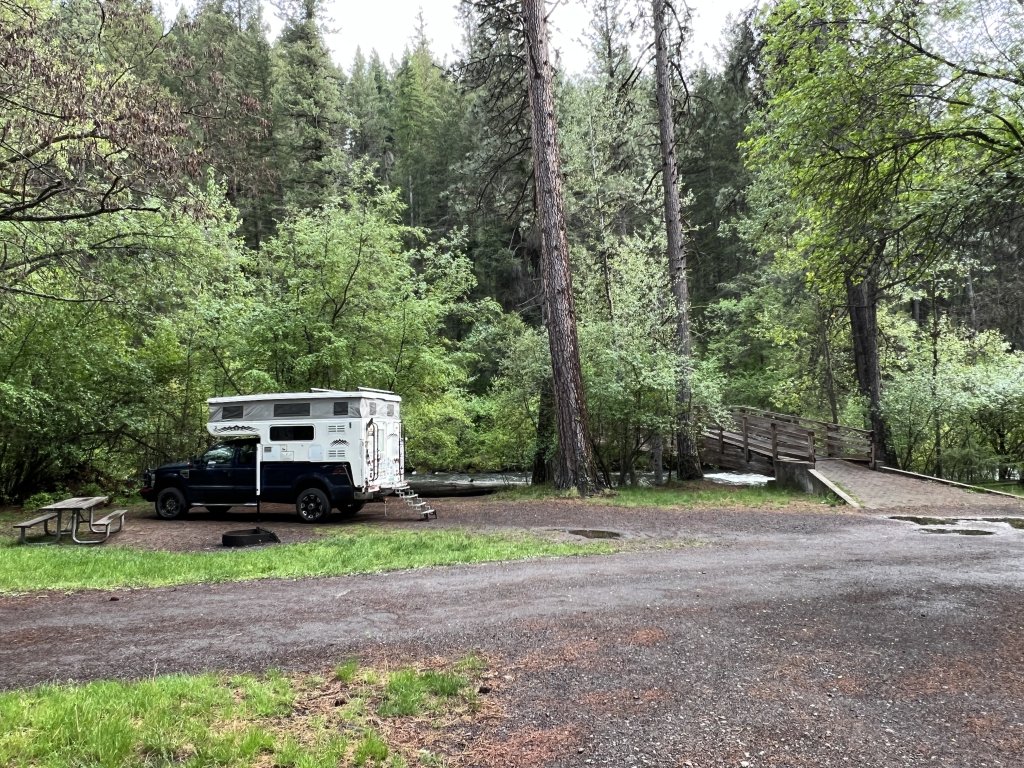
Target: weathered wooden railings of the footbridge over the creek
x=767 y=435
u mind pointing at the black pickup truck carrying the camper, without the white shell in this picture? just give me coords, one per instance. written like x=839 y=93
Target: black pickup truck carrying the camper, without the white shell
x=226 y=477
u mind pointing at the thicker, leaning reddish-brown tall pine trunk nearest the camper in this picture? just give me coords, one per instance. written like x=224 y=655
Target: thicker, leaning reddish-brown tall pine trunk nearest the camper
x=575 y=466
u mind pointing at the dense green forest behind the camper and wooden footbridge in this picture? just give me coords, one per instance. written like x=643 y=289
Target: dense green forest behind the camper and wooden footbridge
x=190 y=209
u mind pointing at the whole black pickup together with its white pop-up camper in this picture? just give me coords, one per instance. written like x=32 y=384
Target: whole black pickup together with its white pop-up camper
x=321 y=450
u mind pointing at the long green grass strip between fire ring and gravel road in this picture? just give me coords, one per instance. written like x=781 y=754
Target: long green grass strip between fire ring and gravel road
x=359 y=550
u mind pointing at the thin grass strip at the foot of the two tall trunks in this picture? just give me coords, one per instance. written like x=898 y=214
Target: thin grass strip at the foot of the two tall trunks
x=698 y=494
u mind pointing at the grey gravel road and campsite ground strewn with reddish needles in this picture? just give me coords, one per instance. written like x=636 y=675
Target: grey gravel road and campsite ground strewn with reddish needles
x=800 y=637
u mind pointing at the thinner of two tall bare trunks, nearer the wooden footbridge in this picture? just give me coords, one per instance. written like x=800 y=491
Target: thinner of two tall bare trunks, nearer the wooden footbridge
x=688 y=457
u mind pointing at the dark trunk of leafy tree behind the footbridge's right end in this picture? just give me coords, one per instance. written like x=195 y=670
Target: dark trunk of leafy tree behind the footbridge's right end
x=863 y=306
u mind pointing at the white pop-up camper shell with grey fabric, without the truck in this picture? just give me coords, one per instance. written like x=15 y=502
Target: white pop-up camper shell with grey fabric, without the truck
x=361 y=429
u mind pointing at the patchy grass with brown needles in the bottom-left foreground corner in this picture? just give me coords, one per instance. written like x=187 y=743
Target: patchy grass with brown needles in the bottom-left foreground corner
x=240 y=721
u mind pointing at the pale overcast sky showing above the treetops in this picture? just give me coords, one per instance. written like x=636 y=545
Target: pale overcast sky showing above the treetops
x=388 y=26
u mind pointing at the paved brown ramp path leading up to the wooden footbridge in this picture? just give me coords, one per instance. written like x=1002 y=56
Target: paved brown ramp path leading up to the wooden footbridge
x=887 y=491
